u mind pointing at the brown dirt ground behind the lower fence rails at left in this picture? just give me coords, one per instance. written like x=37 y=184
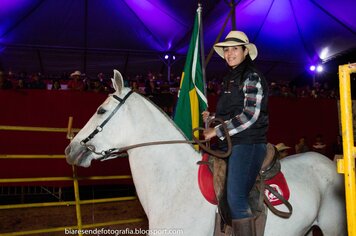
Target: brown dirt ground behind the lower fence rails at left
x=50 y=217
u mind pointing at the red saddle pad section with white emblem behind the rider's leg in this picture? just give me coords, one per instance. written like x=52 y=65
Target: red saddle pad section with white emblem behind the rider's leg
x=278 y=183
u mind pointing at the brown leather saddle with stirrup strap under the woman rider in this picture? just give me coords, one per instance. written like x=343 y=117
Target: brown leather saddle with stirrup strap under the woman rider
x=270 y=168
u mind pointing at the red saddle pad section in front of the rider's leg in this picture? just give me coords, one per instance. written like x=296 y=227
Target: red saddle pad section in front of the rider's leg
x=206 y=182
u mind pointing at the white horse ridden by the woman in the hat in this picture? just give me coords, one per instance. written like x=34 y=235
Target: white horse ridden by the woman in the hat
x=165 y=176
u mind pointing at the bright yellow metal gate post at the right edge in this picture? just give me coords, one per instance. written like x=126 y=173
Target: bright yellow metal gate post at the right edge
x=346 y=165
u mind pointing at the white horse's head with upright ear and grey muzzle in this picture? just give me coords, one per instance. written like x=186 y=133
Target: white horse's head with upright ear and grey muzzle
x=95 y=140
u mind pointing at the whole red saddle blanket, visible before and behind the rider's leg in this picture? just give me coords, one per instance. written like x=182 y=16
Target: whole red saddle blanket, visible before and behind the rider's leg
x=206 y=184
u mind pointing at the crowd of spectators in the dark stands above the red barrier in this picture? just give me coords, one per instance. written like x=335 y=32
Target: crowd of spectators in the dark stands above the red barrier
x=150 y=84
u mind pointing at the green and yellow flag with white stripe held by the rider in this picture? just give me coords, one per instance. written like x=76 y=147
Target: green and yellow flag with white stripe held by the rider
x=191 y=98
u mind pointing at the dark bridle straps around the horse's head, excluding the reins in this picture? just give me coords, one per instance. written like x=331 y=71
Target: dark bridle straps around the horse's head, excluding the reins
x=107 y=153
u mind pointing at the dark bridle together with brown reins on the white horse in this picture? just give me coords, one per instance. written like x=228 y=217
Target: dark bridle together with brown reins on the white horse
x=120 y=152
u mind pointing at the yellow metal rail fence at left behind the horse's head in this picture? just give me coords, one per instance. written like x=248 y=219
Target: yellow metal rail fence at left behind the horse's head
x=77 y=202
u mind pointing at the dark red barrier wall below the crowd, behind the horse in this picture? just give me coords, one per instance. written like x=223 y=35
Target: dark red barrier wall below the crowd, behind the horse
x=289 y=120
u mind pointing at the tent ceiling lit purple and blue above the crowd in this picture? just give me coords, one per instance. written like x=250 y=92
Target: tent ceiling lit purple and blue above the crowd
x=97 y=35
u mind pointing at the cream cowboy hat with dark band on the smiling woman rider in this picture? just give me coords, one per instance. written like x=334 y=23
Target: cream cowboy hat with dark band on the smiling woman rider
x=236 y=38
